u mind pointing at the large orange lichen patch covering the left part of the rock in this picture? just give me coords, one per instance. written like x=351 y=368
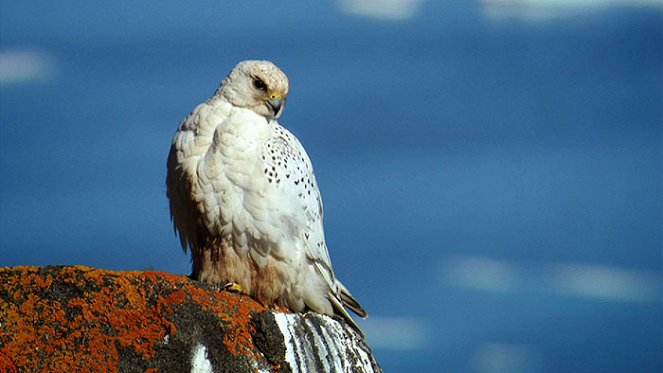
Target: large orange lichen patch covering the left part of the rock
x=76 y=318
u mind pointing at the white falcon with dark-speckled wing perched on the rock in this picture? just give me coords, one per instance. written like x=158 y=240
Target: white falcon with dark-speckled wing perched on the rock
x=244 y=199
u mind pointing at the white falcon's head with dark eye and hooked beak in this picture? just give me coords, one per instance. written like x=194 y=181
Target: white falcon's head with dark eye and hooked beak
x=257 y=85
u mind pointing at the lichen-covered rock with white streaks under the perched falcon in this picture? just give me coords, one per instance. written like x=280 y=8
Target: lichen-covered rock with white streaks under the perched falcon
x=75 y=318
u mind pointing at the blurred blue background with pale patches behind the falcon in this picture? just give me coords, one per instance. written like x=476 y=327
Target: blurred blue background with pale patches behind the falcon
x=491 y=170
